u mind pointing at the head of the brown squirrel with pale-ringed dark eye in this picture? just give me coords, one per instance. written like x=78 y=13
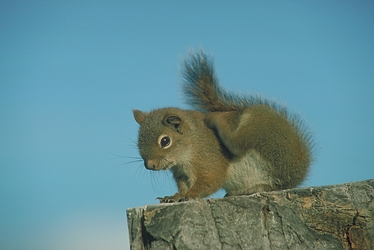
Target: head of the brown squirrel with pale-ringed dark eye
x=162 y=139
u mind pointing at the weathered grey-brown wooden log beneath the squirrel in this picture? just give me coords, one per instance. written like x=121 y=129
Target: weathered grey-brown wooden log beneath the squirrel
x=329 y=217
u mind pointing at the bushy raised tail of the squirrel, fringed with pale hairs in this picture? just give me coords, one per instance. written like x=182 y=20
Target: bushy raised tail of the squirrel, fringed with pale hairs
x=203 y=92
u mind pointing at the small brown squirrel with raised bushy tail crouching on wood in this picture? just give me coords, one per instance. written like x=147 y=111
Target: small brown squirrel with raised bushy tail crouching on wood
x=243 y=144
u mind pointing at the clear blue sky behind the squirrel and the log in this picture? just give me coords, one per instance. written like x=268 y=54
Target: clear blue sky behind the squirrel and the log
x=71 y=71
